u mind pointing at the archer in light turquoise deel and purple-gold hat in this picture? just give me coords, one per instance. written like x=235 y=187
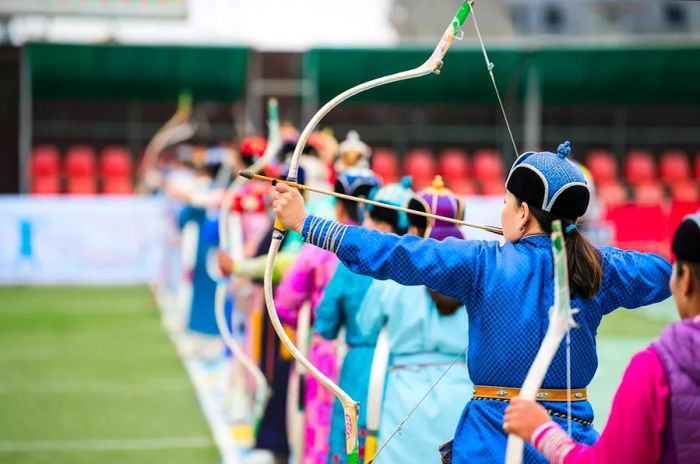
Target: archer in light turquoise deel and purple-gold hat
x=425 y=332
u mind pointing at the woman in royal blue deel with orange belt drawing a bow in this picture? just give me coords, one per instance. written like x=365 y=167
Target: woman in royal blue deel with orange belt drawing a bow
x=507 y=290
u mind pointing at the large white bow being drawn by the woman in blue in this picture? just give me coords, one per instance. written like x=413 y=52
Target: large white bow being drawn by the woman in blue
x=430 y=66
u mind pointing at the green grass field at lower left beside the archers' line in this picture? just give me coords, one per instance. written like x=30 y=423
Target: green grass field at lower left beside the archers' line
x=88 y=376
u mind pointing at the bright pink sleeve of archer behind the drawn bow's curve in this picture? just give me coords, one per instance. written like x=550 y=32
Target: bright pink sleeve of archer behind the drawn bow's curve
x=295 y=288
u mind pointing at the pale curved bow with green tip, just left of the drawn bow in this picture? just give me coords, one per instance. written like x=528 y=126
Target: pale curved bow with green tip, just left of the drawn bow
x=232 y=243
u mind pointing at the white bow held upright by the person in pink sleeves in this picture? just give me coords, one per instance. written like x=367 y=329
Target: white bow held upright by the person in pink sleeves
x=560 y=321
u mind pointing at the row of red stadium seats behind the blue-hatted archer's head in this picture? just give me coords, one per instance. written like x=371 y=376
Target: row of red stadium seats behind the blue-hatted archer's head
x=484 y=172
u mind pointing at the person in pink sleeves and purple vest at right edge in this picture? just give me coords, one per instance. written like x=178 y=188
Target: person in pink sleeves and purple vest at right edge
x=655 y=417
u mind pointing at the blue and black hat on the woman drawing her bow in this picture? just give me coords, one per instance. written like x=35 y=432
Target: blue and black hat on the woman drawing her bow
x=550 y=182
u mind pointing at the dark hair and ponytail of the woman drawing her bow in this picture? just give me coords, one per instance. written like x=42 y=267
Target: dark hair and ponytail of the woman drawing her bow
x=584 y=260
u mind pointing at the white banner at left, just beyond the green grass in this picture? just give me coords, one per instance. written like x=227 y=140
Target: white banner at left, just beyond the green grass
x=82 y=240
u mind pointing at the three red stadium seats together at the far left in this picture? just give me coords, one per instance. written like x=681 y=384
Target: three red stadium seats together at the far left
x=79 y=168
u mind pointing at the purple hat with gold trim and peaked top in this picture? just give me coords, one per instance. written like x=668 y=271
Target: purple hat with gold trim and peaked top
x=442 y=201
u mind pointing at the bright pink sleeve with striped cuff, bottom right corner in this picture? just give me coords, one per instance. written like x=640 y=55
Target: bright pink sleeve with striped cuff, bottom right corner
x=635 y=429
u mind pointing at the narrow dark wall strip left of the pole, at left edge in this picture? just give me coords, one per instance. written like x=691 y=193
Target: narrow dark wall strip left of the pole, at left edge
x=9 y=119
